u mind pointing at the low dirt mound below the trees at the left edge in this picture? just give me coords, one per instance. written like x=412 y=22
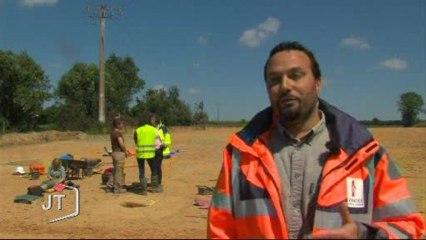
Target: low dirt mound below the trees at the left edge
x=39 y=137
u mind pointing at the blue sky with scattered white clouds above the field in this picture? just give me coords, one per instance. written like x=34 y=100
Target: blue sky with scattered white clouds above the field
x=370 y=52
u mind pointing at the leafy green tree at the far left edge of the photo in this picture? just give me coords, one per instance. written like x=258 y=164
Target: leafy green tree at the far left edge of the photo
x=23 y=89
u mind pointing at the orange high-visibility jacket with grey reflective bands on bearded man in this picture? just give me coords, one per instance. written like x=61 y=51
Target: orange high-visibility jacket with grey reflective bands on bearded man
x=246 y=203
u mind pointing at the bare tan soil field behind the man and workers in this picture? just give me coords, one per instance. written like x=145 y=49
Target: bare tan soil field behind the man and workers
x=170 y=214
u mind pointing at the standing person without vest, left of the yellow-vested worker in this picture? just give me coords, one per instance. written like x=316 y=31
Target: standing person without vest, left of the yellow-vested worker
x=119 y=154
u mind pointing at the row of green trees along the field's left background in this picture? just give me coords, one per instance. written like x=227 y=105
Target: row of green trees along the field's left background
x=25 y=88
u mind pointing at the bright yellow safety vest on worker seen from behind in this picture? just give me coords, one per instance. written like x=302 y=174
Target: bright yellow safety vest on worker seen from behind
x=146 y=141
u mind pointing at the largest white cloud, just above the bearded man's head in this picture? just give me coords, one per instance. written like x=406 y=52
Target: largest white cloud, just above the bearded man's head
x=265 y=30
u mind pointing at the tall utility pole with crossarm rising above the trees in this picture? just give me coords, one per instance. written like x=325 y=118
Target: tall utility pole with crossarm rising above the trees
x=104 y=13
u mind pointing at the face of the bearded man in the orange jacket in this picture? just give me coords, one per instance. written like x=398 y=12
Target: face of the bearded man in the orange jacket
x=292 y=88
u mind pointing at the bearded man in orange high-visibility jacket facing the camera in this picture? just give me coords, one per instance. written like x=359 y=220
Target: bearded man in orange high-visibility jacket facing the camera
x=302 y=168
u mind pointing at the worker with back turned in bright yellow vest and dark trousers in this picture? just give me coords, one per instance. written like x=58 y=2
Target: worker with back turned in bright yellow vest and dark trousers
x=145 y=138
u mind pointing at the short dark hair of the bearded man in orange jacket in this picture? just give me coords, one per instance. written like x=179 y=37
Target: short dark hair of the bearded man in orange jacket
x=293 y=45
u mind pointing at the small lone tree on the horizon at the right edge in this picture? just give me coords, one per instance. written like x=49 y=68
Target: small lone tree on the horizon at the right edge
x=410 y=105
